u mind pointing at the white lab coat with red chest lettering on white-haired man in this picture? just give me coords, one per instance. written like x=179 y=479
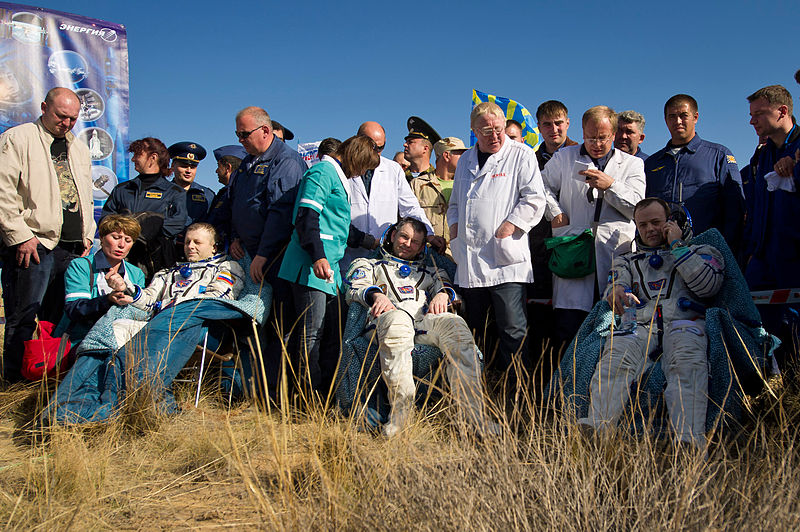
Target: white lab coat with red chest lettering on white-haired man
x=508 y=188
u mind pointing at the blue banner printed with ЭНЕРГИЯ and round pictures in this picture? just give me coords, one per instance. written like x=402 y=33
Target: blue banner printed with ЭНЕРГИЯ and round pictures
x=41 y=49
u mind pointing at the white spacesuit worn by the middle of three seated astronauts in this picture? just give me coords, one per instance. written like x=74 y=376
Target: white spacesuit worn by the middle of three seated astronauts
x=410 y=285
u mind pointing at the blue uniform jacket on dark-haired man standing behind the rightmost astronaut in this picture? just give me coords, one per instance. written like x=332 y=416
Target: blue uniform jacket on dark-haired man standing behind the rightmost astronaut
x=712 y=186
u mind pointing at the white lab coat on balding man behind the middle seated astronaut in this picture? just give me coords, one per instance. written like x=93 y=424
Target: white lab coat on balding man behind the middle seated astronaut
x=389 y=195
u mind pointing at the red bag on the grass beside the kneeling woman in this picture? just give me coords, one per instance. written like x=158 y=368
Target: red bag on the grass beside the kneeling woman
x=43 y=353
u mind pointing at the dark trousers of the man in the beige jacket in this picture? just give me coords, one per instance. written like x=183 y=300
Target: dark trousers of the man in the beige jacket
x=37 y=290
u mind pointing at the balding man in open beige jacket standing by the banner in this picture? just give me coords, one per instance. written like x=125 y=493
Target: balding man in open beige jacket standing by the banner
x=46 y=218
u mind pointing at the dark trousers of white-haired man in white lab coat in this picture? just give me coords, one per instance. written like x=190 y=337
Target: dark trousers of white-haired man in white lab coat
x=508 y=303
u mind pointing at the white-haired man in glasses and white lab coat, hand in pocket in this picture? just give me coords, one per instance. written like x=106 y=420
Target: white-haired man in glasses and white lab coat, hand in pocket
x=497 y=198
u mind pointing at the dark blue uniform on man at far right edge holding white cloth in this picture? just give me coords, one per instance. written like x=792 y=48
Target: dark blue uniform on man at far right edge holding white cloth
x=773 y=233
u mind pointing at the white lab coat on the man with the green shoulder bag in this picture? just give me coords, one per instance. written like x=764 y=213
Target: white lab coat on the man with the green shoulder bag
x=566 y=193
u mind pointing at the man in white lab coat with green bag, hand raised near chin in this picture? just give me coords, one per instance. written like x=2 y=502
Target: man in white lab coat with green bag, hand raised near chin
x=591 y=186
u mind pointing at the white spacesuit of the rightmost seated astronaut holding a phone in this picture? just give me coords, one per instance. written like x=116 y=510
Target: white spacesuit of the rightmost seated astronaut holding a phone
x=669 y=284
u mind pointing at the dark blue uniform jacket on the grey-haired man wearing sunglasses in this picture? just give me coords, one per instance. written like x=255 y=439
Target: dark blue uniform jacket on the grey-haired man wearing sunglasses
x=262 y=195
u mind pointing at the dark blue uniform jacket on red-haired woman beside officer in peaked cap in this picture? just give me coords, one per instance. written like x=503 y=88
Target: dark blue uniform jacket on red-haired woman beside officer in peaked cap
x=163 y=197
